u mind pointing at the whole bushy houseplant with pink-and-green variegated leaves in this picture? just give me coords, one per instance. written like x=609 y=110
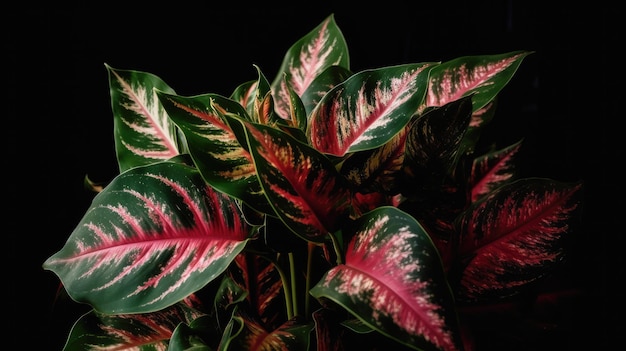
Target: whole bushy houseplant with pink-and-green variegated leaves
x=322 y=209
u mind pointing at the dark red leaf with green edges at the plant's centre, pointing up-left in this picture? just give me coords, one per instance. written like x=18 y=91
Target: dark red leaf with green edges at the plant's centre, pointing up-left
x=304 y=187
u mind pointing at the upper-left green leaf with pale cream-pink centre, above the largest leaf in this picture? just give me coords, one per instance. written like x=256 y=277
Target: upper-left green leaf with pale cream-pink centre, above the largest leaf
x=142 y=130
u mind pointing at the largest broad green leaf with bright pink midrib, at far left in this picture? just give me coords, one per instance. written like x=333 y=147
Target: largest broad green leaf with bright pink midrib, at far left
x=144 y=247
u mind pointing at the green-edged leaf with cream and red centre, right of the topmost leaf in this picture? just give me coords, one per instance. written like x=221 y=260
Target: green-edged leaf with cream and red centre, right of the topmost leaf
x=368 y=109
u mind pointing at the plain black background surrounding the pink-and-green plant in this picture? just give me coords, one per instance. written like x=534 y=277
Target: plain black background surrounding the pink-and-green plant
x=563 y=100
